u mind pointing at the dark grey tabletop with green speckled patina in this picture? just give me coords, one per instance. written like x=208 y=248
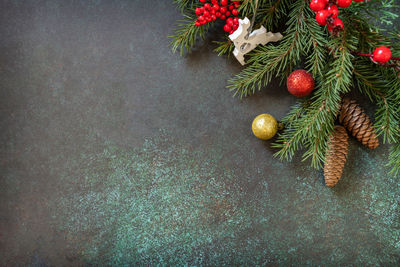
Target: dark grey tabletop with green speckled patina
x=115 y=151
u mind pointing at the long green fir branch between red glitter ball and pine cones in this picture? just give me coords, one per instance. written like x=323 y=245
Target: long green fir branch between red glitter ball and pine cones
x=313 y=128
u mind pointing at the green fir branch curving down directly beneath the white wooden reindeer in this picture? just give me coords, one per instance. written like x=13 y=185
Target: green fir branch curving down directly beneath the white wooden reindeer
x=271 y=61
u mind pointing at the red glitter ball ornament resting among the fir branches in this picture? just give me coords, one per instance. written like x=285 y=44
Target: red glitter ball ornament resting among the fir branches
x=300 y=83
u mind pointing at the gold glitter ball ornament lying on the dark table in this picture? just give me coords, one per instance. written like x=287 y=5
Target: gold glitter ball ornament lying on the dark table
x=264 y=126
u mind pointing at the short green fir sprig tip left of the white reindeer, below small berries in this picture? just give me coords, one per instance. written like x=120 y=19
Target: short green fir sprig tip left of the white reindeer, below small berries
x=187 y=34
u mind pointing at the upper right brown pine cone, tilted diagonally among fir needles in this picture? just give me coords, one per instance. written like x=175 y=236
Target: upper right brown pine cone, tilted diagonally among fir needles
x=353 y=117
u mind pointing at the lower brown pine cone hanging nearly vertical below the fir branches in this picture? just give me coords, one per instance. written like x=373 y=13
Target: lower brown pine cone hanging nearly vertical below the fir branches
x=336 y=154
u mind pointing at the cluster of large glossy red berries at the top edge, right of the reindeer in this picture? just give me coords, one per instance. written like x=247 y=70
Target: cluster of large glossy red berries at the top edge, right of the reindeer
x=327 y=12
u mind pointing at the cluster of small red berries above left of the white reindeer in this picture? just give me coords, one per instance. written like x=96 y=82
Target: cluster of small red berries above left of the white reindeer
x=223 y=9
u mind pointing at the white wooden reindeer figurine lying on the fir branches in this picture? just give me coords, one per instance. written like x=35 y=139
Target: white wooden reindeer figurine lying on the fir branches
x=245 y=42
